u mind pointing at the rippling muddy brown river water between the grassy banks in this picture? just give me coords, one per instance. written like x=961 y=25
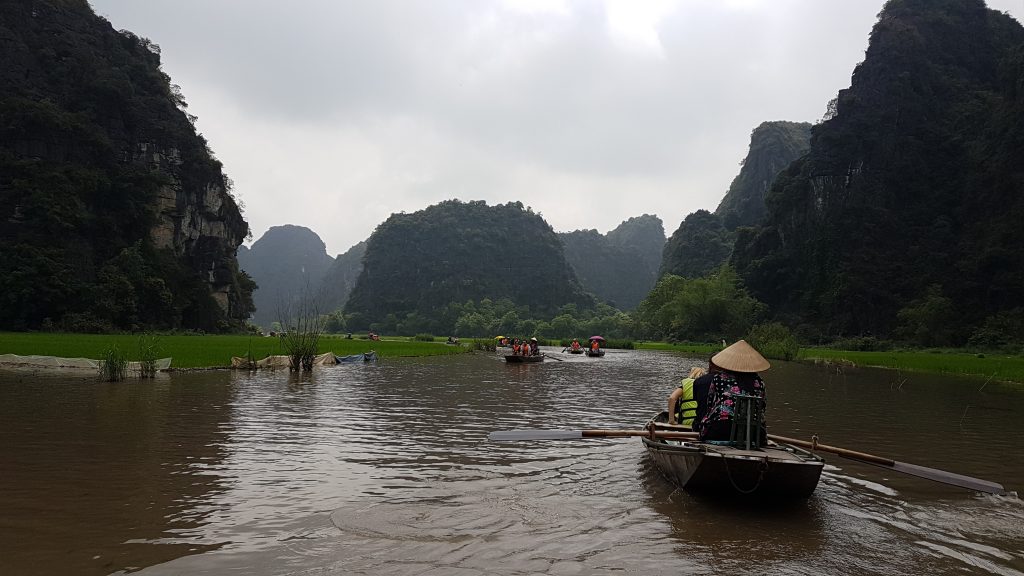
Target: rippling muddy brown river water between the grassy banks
x=387 y=470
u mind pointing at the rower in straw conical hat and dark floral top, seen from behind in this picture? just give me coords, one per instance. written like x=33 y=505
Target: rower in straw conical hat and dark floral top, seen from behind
x=735 y=374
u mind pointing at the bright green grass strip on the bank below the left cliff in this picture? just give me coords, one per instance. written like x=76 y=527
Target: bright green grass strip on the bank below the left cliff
x=203 y=351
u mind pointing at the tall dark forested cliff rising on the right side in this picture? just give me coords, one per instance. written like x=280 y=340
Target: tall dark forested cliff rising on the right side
x=905 y=218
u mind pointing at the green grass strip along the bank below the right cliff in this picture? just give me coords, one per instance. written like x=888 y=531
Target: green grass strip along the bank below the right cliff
x=993 y=366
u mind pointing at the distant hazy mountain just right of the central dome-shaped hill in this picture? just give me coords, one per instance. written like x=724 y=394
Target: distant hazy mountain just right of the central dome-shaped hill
x=622 y=267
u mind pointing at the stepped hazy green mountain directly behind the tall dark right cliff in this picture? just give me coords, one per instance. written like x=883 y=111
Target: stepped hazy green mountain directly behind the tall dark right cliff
x=704 y=241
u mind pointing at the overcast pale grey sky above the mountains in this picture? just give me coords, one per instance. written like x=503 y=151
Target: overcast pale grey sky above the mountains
x=334 y=115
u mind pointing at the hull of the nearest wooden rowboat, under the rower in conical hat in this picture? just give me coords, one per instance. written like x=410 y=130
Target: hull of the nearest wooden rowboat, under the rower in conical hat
x=771 y=473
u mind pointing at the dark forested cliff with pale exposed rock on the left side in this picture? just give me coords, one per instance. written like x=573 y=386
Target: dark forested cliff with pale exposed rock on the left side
x=115 y=214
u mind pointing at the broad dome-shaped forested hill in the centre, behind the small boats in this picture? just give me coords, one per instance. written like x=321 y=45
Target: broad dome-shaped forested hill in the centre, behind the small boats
x=416 y=265
